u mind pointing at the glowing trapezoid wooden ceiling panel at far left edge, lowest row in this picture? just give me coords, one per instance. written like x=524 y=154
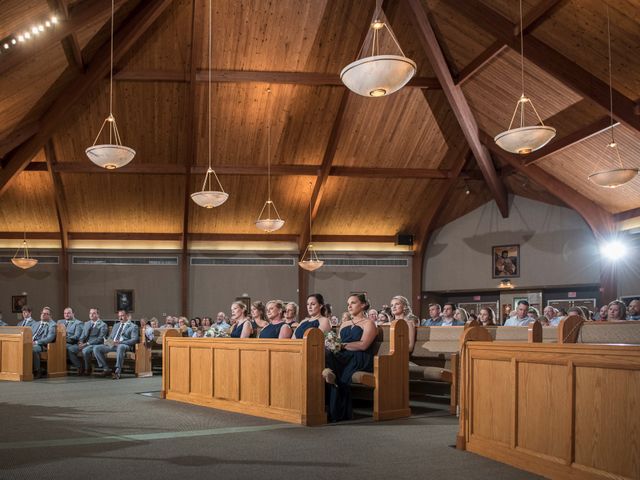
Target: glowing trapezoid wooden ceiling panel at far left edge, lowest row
x=29 y=204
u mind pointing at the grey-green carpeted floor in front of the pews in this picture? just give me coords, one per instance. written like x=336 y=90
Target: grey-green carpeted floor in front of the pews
x=99 y=428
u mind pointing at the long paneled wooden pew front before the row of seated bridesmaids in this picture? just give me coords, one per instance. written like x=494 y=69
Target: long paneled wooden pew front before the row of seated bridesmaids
x=271 y=378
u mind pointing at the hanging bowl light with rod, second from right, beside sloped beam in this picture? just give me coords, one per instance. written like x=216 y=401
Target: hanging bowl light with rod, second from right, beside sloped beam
x=523 y=139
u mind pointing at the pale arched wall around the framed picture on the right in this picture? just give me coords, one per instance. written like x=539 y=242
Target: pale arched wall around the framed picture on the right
x=556 y=248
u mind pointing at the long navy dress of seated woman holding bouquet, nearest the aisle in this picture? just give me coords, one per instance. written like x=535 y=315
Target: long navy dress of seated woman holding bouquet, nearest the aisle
x=344 y=364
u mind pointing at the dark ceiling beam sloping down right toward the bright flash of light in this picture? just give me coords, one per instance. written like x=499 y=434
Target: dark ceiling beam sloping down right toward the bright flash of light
x=599 y=220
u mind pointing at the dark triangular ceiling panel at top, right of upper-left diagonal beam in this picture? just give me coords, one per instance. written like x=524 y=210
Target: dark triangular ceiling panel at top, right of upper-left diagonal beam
x=165 y=46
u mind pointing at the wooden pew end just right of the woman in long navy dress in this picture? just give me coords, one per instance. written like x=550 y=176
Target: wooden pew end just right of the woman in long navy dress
x=390 y=377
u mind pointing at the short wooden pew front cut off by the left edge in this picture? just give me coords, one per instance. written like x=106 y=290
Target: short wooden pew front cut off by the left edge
x=16 y=354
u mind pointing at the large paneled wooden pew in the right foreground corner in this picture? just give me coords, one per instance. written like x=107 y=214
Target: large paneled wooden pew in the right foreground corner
x=561 y=410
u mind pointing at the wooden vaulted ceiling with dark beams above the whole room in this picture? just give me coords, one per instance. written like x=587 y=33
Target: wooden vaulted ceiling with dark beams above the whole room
x=368 y=166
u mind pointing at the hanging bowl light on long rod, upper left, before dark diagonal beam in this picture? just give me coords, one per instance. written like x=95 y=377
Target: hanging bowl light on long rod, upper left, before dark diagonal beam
x=112 y=155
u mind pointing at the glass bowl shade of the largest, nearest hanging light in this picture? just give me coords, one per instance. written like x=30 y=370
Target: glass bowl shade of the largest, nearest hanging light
x=378 y=75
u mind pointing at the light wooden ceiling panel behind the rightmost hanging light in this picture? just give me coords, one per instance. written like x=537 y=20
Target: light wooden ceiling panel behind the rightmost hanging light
x=574 y=164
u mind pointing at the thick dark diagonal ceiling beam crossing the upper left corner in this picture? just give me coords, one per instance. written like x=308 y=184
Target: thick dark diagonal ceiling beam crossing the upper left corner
x=134 y=27
